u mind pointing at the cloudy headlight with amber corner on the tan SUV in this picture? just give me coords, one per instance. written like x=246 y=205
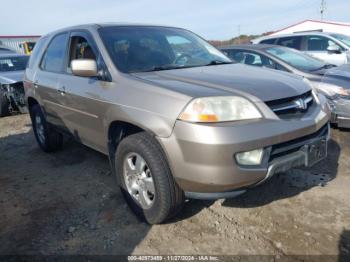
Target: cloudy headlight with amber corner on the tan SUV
x=219 y=109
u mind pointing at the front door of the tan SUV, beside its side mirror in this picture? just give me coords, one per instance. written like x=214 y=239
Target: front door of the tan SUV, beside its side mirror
x=84 y=105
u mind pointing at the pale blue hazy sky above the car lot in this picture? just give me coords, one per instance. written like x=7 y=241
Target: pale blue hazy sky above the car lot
x=212 y=19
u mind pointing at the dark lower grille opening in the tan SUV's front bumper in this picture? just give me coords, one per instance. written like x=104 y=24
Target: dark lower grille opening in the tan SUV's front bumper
x=289 y=147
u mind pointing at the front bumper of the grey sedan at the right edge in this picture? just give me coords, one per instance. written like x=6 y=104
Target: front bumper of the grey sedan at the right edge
x=340 y=112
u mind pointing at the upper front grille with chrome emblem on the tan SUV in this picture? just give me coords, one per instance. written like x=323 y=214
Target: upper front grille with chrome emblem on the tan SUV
x=291 y=106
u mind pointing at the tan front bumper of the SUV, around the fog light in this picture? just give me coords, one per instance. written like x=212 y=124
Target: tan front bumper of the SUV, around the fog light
x=201 y=156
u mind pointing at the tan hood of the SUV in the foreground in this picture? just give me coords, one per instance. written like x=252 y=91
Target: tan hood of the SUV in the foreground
x=233 y=79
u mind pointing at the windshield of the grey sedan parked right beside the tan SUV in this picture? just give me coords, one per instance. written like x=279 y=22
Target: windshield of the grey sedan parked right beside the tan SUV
x=296 y=59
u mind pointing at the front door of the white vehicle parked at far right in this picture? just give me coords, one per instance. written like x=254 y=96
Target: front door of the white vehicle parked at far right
x=317 y=46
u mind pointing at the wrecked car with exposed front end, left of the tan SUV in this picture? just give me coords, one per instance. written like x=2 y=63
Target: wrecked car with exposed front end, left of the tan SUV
x=12 y=68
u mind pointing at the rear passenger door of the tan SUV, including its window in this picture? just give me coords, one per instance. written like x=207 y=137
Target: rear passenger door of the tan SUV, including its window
x=47 y=78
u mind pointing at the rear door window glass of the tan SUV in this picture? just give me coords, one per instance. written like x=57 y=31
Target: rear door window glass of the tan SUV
x=55 y=54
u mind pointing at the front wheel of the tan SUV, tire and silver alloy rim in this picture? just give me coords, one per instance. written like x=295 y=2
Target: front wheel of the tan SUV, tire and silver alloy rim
x=146 y=180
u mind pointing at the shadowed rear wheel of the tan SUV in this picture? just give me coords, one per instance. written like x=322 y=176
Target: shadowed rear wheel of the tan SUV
x=48 y=139
